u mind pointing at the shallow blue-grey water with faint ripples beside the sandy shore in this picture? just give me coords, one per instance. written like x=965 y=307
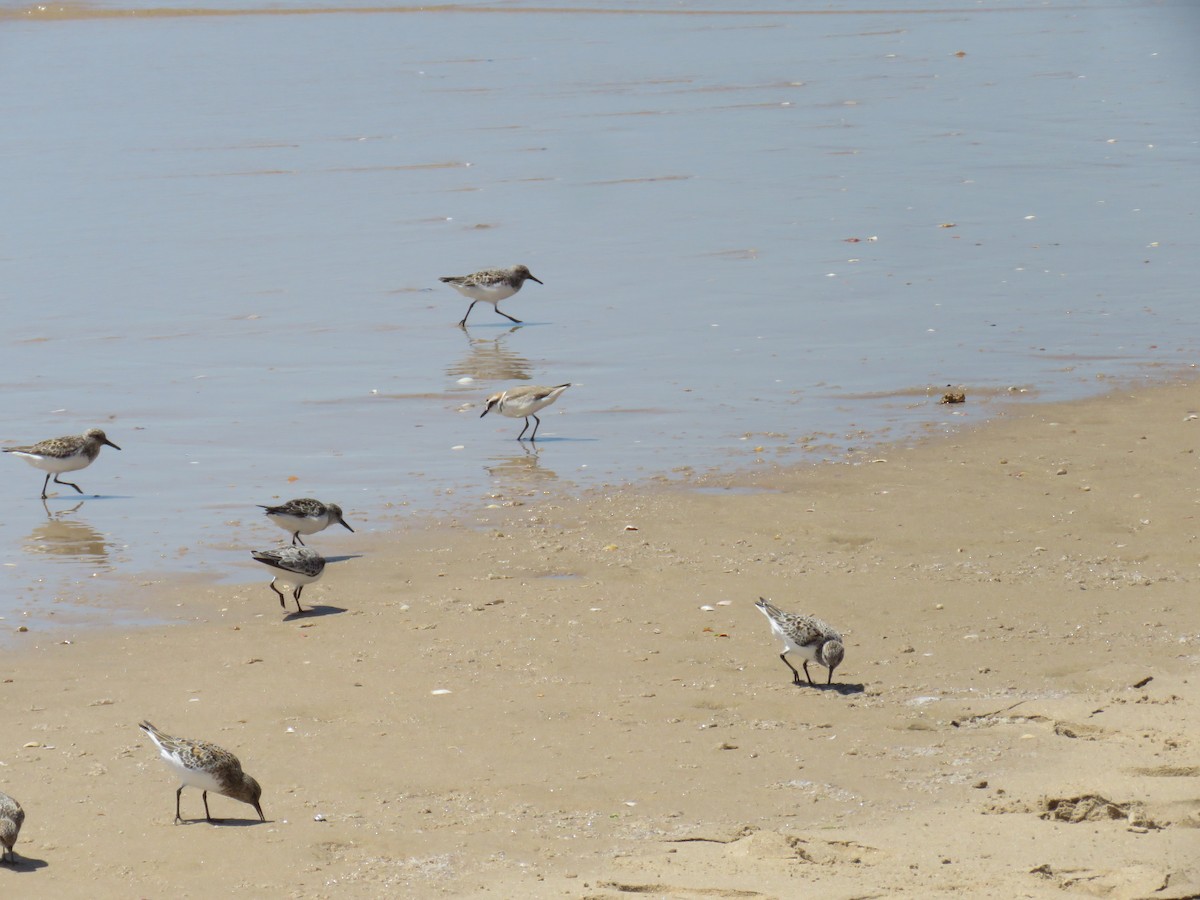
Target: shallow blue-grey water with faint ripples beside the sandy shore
x=225 y=236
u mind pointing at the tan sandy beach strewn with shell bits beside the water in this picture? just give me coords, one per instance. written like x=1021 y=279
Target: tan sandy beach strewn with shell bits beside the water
x=1017 y=715
